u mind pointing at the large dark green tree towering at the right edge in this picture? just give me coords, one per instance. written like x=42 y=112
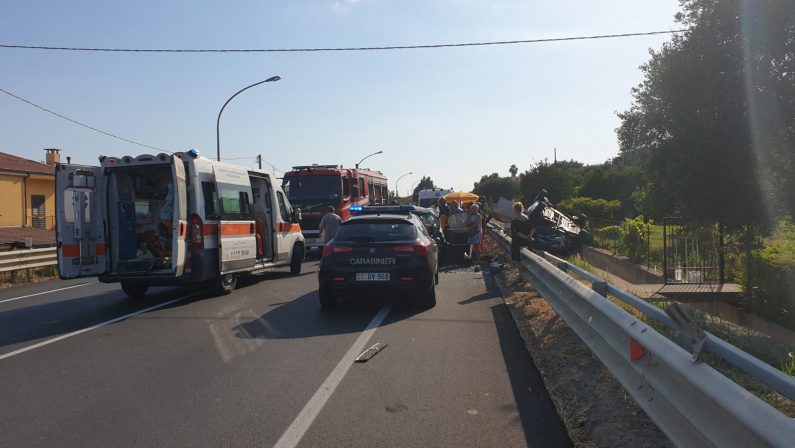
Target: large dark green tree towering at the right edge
x=713 y=122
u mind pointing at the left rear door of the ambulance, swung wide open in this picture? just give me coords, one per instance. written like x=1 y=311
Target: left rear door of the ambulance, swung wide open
x=80 y=221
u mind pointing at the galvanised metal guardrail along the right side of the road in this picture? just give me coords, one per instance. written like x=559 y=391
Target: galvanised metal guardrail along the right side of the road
x=692 y=403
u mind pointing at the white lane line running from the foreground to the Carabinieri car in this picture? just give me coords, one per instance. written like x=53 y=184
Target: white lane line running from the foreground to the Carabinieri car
x=295 y=432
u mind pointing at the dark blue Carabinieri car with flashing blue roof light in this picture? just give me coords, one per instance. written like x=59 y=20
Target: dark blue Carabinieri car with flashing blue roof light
x=380 y=250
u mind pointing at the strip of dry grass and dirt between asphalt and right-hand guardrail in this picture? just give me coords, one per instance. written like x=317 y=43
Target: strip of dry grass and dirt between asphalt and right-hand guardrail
x=595 y=409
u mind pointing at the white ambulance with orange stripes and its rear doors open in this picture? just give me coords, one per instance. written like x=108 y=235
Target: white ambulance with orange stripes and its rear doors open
x=172 y=220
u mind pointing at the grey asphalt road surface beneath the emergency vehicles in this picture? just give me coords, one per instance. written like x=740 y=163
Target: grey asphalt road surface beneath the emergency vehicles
x=85 y=367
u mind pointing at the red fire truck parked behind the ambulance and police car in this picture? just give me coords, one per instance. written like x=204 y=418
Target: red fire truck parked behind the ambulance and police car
x=313 y=188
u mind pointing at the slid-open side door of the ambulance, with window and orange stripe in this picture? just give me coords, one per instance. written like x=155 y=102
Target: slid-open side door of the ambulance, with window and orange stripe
x=236 y=231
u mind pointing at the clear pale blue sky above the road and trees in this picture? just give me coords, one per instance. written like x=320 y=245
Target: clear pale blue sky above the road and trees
x=453 y=114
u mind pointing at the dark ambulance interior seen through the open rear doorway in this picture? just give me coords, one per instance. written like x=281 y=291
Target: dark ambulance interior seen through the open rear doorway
x=140 y=209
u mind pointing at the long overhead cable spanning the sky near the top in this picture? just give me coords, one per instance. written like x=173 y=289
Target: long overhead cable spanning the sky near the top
x=288 y=50
